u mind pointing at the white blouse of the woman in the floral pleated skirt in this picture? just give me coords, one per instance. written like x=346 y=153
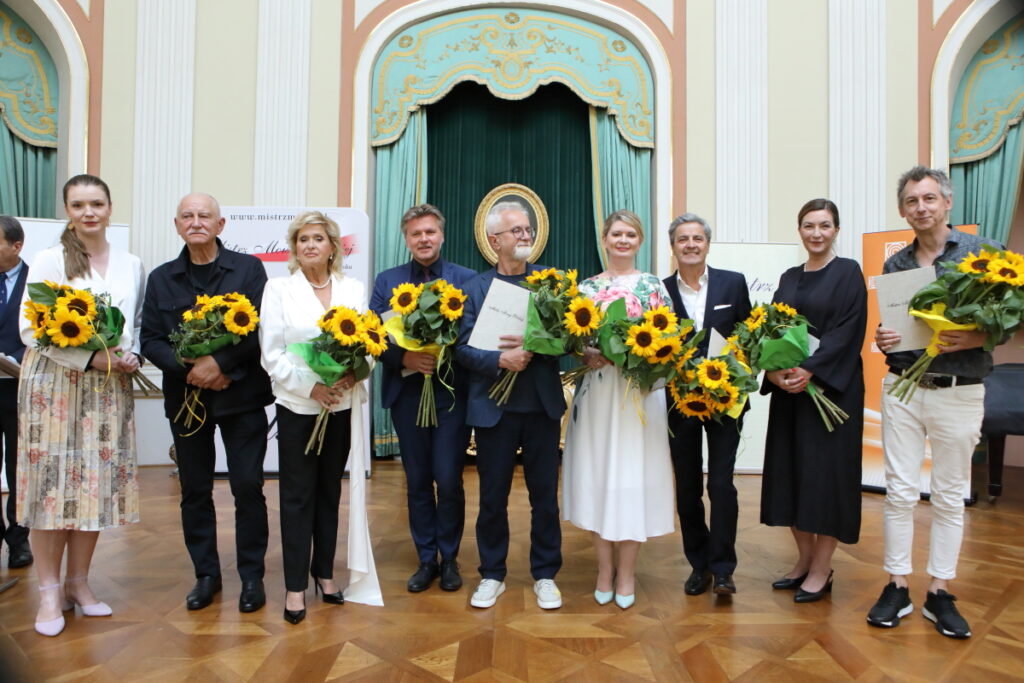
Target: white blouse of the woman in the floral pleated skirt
x=125 y=282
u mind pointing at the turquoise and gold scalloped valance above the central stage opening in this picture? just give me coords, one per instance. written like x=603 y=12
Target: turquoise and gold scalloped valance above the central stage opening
x=513 y=53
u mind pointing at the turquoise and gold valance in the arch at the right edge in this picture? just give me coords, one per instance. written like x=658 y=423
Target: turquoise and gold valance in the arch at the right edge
x=991 y=98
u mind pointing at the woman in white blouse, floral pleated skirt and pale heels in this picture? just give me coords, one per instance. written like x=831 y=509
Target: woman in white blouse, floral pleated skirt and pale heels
x=76 y=442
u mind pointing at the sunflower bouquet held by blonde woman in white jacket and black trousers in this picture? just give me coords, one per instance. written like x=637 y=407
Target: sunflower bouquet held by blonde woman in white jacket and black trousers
x=346 y=340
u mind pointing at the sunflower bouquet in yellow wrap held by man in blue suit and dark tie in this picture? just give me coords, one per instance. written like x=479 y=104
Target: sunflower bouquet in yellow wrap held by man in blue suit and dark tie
x=429 y=322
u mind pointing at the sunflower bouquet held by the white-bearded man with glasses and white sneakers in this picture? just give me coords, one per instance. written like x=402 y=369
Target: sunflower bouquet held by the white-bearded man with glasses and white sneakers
x=560 y=321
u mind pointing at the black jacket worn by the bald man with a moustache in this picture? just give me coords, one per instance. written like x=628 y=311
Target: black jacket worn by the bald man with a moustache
x=168 y=293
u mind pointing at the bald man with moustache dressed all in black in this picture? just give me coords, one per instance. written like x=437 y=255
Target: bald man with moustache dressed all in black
x=234 y=390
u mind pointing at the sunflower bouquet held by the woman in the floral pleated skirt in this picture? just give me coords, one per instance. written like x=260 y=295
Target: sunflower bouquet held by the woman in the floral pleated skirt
x=63 y=316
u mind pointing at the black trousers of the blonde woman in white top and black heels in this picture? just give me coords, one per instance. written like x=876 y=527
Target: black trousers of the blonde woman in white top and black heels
x=311 y=491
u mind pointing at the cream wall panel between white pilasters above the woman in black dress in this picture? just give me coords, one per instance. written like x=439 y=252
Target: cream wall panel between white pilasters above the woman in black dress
x=798 y=111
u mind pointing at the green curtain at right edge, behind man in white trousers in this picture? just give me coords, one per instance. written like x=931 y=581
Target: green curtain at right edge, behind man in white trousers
x=986 y=192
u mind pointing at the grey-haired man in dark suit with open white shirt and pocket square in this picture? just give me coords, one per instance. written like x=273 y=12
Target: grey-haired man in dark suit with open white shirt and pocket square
x=713 y=300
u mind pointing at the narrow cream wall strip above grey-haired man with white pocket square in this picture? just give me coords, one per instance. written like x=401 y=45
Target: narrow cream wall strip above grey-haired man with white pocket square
x=700 y=116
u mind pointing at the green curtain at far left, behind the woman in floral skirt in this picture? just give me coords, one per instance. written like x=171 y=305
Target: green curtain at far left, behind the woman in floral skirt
x=28 y=178
